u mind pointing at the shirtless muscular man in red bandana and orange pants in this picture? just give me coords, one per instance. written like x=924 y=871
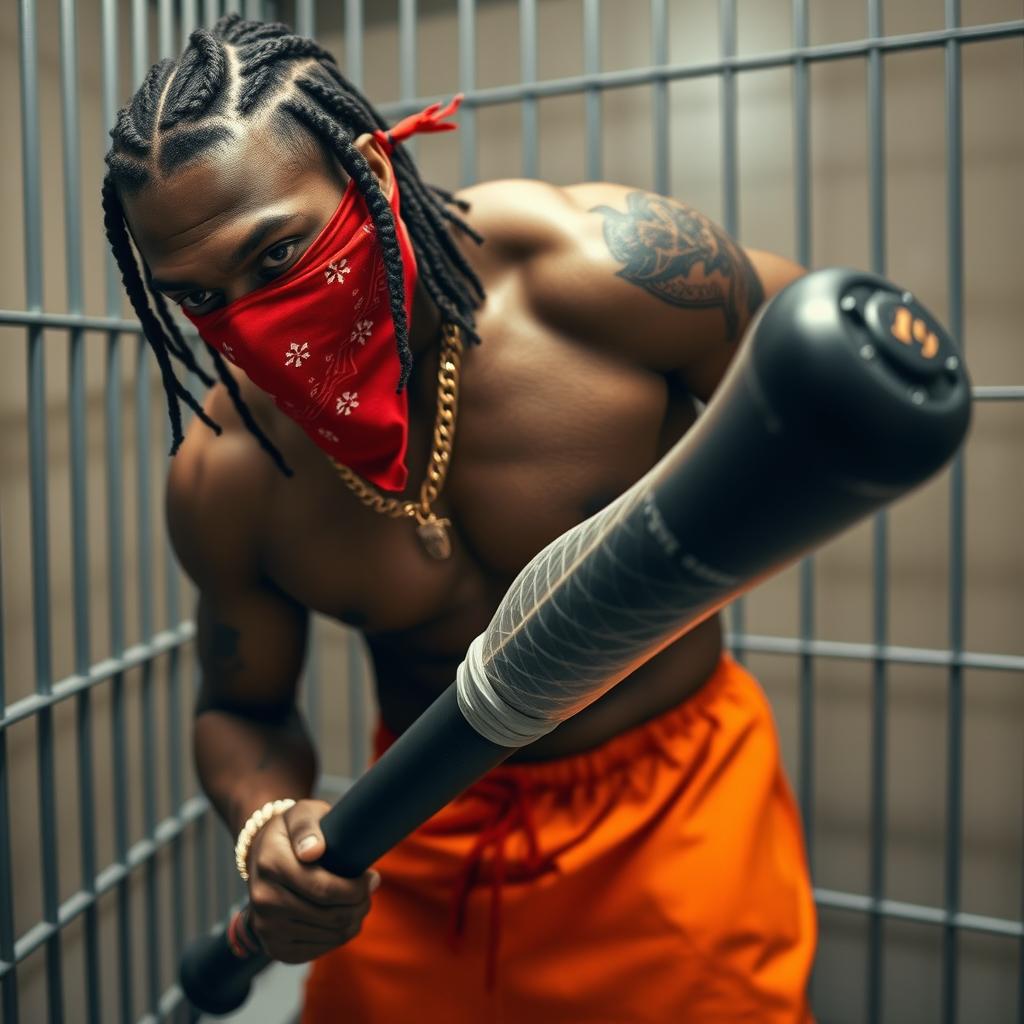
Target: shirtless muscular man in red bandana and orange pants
x=645 y=861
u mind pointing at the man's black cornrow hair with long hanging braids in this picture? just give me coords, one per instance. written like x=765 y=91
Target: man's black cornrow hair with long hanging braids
x=238 y=72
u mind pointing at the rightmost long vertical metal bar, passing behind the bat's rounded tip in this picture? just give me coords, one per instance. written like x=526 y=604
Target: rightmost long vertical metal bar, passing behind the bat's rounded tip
x=955 y=289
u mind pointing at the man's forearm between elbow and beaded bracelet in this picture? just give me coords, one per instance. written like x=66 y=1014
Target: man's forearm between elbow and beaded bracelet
x=243 y=761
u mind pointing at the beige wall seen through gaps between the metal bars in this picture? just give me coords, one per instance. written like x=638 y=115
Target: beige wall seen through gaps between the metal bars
x=994 y=163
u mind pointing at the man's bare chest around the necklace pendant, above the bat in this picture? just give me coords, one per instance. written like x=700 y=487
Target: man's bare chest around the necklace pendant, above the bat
x=548 y=432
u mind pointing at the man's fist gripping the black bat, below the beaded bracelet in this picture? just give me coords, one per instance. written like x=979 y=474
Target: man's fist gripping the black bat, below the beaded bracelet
x=298 y=911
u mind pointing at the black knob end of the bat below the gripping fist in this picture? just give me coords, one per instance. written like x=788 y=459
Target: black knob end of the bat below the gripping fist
x=217 y=973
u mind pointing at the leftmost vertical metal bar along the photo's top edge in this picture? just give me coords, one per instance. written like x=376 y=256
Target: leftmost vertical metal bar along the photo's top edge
x=32 y=200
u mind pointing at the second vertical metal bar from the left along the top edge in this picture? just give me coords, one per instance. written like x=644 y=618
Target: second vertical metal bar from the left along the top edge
x=79 y=502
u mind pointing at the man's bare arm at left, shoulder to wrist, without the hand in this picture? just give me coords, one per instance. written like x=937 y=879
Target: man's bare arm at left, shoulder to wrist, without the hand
x=249 y=742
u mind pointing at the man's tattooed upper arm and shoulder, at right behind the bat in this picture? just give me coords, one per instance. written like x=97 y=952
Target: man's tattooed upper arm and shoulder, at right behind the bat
x=652 y=279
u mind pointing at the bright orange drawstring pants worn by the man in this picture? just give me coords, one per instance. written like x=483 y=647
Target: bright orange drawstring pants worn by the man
x=660 y=879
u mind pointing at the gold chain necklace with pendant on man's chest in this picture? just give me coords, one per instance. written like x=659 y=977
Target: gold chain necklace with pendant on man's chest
x=432 y=530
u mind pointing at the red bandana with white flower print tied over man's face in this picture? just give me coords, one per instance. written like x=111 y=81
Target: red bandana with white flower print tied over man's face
x=321 y=340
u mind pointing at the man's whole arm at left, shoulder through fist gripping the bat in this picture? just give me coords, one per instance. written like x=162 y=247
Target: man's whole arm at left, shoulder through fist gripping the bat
x=249 y=742
